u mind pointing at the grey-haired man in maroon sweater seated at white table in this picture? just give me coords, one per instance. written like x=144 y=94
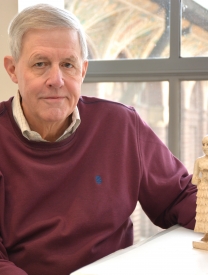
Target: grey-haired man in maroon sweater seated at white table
x=73 y=168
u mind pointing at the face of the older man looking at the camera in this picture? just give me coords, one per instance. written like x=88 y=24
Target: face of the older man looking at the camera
x=49 y=74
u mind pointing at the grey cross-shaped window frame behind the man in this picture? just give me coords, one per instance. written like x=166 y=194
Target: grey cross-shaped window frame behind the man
x=173 y=69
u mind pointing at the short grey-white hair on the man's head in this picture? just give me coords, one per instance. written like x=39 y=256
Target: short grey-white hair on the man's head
x=43 y=16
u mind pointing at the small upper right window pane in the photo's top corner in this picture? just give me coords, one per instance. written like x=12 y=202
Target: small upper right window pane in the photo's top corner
x=194 y=28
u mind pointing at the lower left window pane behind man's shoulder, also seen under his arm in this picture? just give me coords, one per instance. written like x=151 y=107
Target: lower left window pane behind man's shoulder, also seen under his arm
x=151 y=100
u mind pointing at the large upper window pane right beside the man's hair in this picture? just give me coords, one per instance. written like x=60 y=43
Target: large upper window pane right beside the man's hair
x=120 y=29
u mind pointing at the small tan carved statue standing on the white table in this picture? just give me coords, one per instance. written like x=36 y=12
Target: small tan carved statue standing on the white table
x=200 y=178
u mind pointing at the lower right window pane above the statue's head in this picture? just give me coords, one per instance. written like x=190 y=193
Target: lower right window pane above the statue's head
x=194 y=117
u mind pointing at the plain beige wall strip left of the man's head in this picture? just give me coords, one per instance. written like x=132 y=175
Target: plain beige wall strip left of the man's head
x=8 y=10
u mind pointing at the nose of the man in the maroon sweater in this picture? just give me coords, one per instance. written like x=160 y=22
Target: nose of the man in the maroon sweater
x=55 y=77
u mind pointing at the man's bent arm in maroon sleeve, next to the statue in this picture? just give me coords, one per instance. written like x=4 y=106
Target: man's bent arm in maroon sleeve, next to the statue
x=166 y=192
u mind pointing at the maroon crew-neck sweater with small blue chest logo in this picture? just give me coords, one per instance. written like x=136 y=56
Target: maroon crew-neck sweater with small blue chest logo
x=64 y=205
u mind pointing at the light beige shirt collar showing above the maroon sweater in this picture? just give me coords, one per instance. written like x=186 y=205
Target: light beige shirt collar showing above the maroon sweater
x=32 y=135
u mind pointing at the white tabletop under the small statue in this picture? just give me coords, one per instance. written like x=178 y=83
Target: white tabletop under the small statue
x=167 y=253
